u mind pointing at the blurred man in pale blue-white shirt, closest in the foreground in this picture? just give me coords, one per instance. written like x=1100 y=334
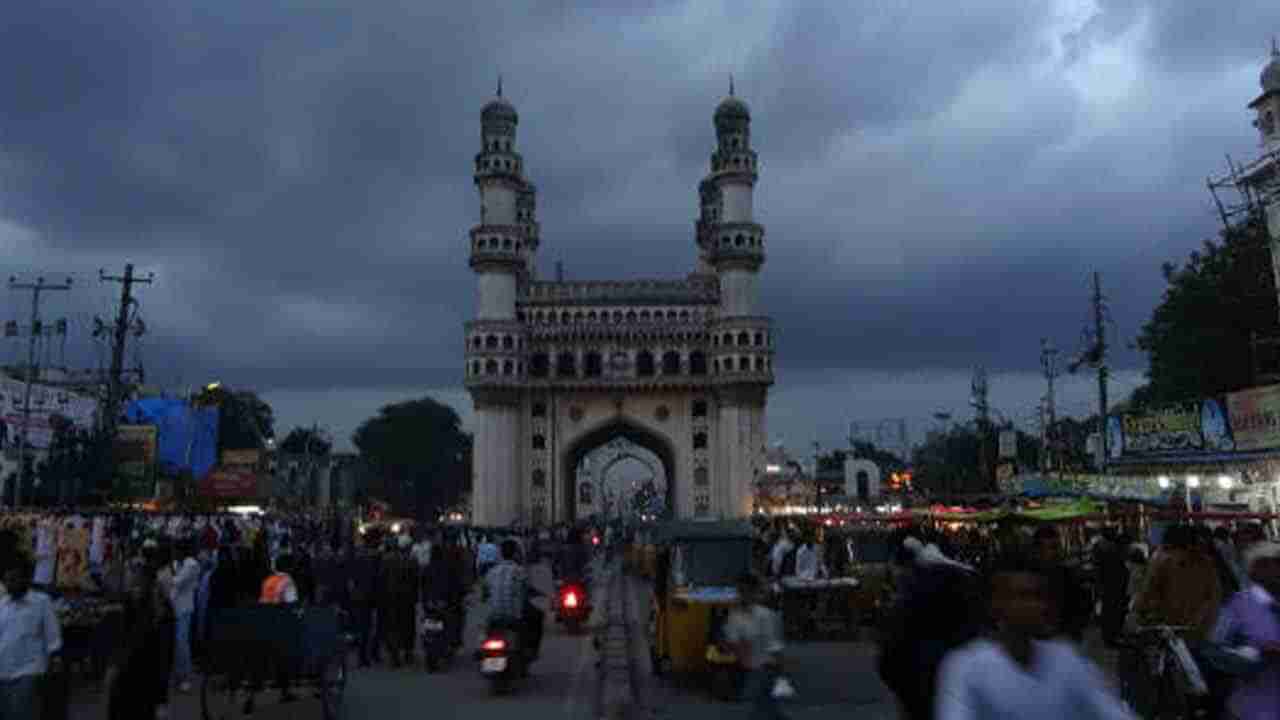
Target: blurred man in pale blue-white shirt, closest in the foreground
x=1013 y=676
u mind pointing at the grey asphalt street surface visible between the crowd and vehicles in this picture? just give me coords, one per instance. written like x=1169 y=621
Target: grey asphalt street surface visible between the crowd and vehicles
x=833 y=680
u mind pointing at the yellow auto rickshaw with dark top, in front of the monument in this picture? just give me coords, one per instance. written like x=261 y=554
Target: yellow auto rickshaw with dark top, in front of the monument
x=698 y=566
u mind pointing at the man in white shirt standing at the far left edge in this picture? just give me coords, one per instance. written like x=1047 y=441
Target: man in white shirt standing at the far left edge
x=30 y=636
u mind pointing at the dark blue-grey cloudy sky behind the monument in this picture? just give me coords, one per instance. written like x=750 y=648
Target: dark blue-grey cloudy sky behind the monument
x=939 y=180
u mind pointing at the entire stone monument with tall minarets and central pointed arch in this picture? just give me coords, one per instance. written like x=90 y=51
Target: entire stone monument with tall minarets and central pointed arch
x=680 y=368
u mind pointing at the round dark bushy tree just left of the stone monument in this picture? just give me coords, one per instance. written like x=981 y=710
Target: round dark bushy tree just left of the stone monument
x=418 y=453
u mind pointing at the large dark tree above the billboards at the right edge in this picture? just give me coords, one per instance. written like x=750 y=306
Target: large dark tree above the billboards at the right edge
x=1199 y=339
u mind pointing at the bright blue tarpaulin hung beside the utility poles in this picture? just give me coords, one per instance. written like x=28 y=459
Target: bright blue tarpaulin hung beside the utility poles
x=186 y=436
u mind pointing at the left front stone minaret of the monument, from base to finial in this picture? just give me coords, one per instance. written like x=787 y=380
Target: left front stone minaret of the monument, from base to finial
x=502 y=254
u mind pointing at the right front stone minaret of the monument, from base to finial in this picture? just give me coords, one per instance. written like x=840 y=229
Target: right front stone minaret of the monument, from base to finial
x=732 y=244
